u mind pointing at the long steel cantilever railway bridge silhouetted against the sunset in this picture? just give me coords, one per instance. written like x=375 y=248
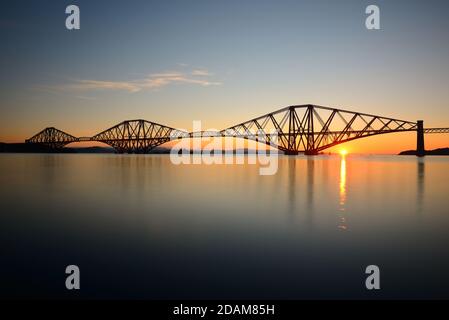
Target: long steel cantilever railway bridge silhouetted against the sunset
x=307 y=129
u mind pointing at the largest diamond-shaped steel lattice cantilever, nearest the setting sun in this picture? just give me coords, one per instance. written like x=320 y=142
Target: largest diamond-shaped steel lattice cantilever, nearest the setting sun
x=311 y=128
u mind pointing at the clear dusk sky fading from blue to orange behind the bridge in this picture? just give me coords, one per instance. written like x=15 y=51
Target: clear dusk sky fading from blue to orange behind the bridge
x=221 y=62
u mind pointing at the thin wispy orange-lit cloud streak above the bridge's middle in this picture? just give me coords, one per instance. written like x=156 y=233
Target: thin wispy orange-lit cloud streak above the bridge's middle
x=153 y=81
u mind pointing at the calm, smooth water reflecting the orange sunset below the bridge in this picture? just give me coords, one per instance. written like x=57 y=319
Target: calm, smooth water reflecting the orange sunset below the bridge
x=141 y=227
